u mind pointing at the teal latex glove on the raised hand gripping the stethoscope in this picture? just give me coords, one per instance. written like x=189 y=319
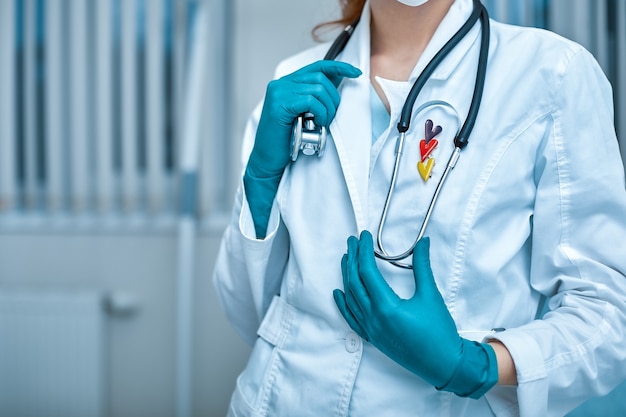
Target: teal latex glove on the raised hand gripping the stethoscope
x=310 y=89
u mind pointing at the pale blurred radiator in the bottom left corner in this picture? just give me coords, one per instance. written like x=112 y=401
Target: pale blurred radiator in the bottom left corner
x=52 y=353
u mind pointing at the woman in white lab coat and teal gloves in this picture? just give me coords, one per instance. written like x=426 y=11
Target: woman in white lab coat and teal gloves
x=516 y=300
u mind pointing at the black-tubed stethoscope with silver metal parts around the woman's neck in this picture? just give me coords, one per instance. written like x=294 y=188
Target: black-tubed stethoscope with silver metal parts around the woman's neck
x=310 y=139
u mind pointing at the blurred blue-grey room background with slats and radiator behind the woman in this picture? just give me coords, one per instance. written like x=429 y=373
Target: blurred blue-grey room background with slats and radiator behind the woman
x=120 y=123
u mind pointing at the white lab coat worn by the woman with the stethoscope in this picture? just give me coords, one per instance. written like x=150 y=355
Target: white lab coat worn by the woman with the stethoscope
x=535 y=208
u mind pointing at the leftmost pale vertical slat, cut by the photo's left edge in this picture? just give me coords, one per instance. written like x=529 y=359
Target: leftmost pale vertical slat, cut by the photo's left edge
x=8 y=188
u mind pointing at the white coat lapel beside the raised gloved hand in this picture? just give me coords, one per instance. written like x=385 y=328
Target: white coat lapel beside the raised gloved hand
x=351 y=128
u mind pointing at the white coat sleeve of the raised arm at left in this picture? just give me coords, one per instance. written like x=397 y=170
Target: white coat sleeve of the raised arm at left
x=248 y=271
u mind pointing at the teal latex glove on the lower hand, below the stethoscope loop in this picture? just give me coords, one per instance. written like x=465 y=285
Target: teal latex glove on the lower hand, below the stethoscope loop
x=417 y=333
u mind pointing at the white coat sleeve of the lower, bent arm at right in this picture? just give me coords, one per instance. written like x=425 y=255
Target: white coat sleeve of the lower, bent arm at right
x=578 y=349
